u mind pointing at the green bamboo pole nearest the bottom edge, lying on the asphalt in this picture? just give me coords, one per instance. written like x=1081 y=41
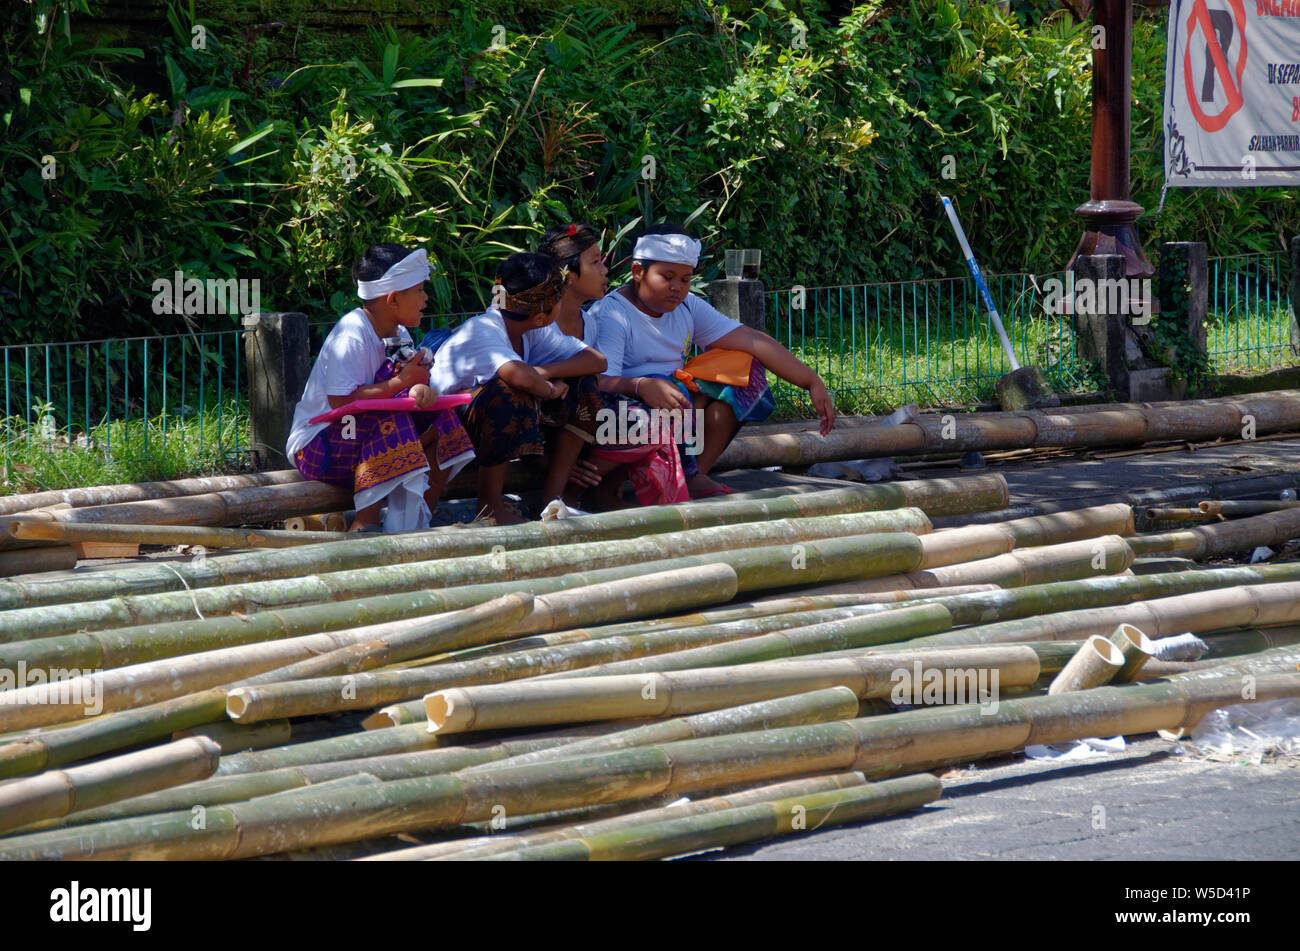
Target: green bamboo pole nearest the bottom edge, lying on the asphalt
x=681 y=836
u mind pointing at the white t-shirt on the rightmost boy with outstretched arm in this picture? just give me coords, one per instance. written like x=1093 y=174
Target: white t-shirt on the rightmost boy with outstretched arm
x=638 y=345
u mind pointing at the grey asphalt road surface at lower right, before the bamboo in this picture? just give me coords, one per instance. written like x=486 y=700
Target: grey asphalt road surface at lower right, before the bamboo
x=1146 y=804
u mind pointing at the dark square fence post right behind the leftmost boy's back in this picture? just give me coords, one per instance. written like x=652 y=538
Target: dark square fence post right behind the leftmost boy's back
x=278 y=354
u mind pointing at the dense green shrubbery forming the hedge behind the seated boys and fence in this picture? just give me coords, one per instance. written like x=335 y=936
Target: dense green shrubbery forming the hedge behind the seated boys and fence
x=279 y=150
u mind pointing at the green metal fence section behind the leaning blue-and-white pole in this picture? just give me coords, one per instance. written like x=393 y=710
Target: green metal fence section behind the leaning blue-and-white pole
x=926 y=342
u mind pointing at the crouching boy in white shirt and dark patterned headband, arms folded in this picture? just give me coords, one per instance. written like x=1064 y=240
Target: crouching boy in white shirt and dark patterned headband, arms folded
x=526 y=376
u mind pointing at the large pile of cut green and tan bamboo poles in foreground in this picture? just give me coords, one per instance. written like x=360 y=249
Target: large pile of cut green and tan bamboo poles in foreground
x=570 y=680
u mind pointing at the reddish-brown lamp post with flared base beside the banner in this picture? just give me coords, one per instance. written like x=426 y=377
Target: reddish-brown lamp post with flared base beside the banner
x=1111 y=212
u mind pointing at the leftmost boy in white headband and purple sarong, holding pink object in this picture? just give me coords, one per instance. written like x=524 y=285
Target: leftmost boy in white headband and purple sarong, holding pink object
x=402 y=459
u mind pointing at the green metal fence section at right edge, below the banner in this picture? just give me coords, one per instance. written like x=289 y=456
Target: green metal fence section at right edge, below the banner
x=1250 y=314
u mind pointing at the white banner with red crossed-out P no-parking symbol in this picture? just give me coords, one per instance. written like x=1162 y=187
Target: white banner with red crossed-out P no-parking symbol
x=1233 y=93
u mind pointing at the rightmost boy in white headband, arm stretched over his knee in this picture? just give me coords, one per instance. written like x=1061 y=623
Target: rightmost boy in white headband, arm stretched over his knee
x=647 y=331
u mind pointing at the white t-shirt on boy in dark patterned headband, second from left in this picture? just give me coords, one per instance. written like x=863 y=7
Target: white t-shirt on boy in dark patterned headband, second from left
x=482 y=346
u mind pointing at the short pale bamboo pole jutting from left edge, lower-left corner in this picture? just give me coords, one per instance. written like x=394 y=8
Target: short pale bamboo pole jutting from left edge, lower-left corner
x=59 y=792
